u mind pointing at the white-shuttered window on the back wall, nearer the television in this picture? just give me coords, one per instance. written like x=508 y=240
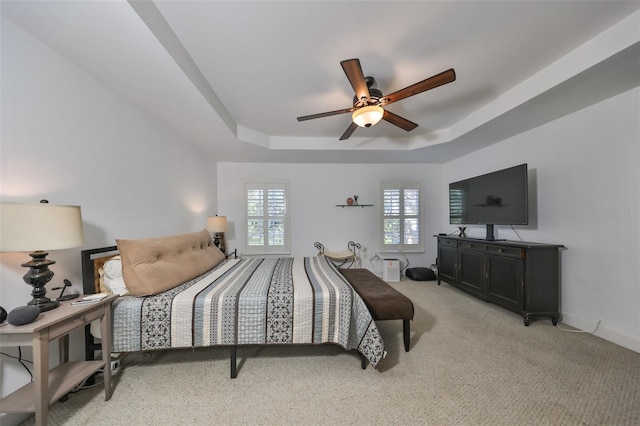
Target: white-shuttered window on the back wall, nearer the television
x=401 y=222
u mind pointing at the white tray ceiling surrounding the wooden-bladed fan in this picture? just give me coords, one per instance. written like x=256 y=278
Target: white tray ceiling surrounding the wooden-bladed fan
x=232 y=76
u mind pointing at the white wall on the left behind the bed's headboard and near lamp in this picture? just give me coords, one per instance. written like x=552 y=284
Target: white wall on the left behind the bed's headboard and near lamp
x=68 y=138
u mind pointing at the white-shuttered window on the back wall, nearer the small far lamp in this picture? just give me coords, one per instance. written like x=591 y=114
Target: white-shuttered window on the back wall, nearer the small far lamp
x=267 y=224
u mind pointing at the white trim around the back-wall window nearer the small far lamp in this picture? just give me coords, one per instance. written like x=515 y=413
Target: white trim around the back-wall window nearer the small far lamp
x=265 y=249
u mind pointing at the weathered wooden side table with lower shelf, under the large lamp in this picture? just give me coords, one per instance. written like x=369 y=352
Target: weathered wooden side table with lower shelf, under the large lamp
x=49 y=386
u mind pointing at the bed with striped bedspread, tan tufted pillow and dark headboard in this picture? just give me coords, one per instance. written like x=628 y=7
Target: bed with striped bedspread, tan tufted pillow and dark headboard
x=224 y=302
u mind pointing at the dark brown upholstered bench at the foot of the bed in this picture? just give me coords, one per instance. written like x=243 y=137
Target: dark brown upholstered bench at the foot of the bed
x=384 y=302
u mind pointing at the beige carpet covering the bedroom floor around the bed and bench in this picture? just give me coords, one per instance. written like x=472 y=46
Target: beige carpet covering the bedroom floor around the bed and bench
x=471 y=363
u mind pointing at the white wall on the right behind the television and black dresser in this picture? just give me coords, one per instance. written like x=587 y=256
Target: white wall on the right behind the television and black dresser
x=586 y=195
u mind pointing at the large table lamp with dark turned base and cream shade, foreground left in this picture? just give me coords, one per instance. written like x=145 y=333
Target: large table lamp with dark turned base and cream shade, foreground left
x=34 y=228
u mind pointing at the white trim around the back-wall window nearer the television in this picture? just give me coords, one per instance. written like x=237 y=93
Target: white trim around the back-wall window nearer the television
x=402 y=185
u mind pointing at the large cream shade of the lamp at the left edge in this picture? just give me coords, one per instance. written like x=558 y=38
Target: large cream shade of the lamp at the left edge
x=39 y=226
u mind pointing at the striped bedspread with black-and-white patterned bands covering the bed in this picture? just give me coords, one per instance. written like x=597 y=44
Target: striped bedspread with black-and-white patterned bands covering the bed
x=251 y=301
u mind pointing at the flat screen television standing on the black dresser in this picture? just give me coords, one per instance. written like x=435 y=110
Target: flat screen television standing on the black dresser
x=497 y=198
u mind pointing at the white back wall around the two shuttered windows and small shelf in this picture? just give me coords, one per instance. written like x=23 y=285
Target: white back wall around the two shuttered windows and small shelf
x=314 y=191
